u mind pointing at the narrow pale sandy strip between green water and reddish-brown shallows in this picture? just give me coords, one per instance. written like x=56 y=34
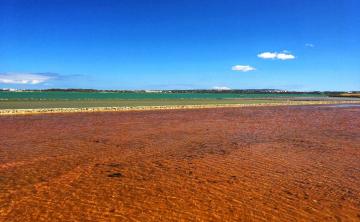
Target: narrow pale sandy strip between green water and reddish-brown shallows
x=7 y=112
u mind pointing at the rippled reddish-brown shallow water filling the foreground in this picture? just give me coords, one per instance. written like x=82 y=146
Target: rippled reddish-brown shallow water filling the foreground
x=243 y=164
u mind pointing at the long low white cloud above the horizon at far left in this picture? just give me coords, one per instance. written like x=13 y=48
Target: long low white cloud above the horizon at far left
x=25 y=78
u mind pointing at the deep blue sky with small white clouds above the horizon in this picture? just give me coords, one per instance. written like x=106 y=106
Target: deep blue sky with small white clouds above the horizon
x=184 y=44
